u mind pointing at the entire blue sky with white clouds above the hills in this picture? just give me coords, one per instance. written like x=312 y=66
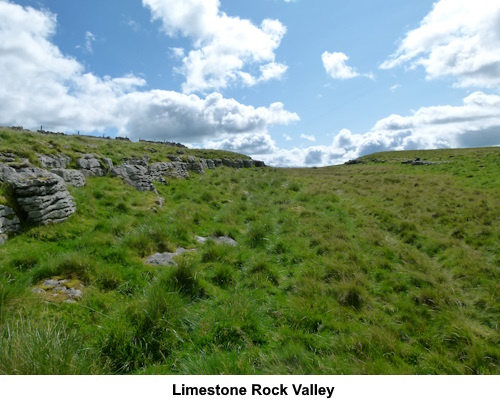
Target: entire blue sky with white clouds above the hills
x=291 y=82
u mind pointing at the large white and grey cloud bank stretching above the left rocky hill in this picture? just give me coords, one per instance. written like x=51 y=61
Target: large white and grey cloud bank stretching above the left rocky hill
x=41 y=86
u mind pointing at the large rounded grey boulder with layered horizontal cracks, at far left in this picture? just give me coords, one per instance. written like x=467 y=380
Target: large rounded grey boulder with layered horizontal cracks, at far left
x=42 y=195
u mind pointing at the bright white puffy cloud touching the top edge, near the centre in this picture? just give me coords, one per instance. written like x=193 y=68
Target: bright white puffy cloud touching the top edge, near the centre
x=226 y=50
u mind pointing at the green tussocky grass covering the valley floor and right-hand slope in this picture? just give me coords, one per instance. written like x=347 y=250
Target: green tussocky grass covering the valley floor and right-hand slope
x=369 y=268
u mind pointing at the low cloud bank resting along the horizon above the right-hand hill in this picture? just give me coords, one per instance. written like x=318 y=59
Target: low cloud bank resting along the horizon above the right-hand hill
x=475 y=123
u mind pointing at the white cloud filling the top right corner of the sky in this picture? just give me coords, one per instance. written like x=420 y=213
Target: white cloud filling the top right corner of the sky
x=458 y=39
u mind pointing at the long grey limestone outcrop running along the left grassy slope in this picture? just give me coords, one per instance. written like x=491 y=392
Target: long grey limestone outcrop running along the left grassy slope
x=41 y=196
